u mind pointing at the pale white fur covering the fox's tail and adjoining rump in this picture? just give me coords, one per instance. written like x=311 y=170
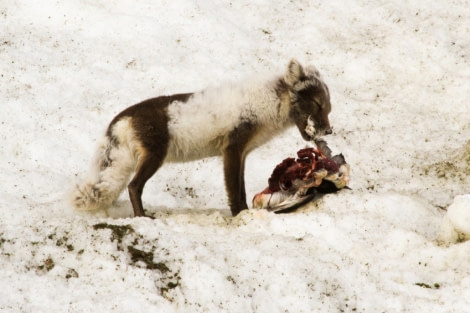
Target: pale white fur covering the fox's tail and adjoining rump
x=104 y=185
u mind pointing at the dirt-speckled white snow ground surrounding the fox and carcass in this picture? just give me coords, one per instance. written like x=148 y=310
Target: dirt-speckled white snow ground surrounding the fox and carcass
x=398 y=74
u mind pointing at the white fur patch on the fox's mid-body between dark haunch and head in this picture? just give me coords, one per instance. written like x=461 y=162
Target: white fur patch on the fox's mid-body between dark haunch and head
x=198 y=127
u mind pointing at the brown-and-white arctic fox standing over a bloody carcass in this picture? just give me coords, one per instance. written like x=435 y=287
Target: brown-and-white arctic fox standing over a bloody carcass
x=229 y=121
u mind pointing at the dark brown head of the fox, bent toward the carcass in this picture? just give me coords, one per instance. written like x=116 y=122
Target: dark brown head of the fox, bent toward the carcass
x=310 y=100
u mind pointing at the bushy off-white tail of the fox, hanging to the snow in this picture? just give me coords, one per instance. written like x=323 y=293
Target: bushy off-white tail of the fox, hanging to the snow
x=110 y=172
